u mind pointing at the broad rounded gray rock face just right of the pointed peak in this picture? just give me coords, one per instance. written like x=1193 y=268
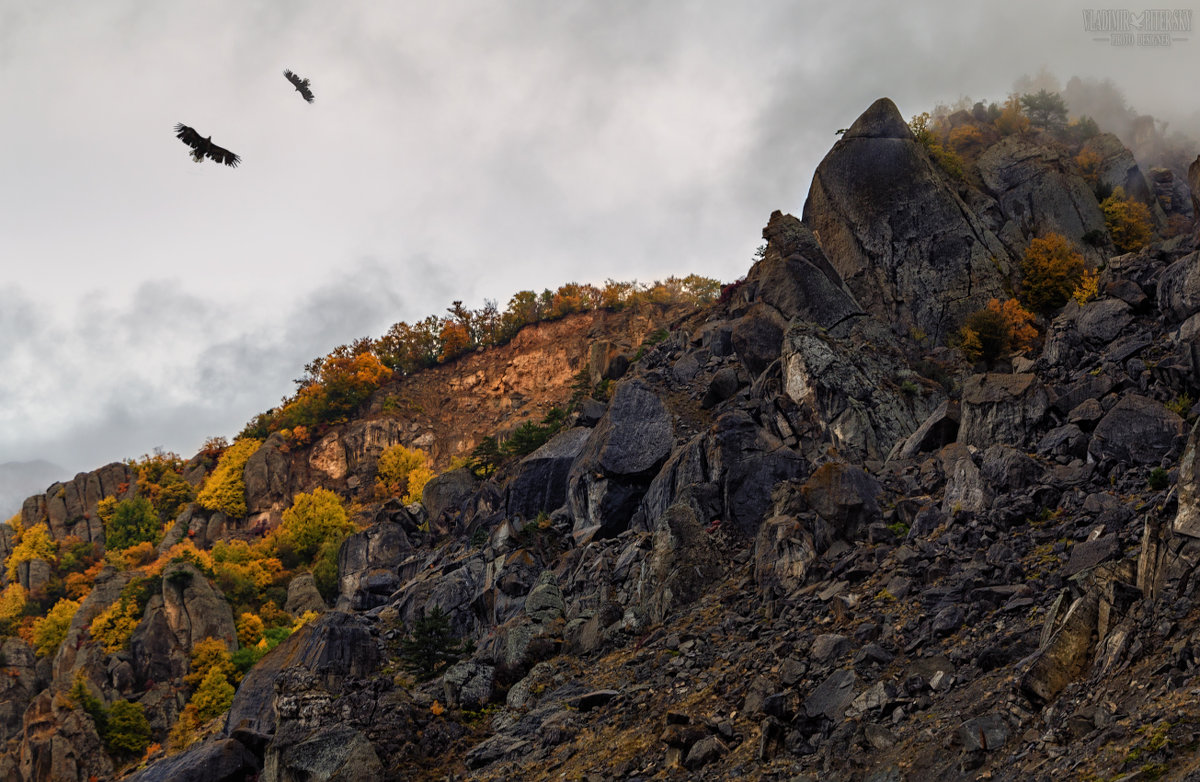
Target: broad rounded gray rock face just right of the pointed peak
x=1037 y=193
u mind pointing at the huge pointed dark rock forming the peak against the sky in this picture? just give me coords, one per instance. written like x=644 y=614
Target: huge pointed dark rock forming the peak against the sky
x=909 y=249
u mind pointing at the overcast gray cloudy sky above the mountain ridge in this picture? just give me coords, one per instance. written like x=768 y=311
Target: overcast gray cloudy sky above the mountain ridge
x=455 y=151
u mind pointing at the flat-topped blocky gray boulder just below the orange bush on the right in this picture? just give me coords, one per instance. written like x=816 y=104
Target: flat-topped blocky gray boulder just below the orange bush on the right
x=1001 y=408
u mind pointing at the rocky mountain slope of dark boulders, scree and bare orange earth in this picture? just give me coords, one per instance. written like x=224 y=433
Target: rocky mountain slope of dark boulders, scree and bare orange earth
x=802 y=538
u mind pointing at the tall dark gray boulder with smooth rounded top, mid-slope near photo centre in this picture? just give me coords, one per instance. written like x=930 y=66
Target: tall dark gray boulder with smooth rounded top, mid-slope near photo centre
x=621 y=458
